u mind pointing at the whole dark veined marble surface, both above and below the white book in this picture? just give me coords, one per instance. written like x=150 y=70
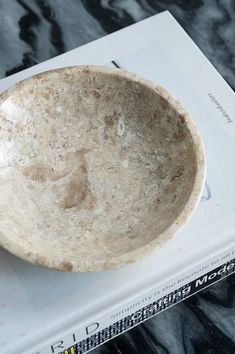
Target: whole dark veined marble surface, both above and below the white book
x=32 y=31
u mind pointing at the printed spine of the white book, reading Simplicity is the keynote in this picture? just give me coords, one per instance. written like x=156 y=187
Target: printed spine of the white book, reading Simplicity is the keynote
x=151 y=303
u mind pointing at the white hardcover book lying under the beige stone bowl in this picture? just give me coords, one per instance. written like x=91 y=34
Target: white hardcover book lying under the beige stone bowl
x=44 y=311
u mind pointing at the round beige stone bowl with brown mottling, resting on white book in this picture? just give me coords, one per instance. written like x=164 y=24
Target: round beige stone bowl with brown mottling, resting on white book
x=98 y=168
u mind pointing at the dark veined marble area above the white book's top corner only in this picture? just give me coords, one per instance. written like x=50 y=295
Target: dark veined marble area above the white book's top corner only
x=32 y=31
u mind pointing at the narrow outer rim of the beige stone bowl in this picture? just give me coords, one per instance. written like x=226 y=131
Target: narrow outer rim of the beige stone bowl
x=83 y=265
